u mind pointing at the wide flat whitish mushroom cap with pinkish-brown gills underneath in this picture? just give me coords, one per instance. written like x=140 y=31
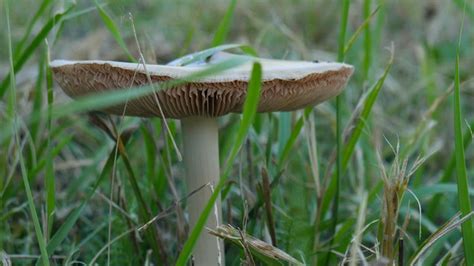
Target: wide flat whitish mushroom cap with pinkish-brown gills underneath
x=286 y=85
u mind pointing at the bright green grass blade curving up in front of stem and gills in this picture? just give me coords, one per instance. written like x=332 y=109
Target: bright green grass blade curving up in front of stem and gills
x=249 y=111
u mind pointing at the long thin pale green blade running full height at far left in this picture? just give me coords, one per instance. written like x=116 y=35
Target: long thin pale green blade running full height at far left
x=14 y=124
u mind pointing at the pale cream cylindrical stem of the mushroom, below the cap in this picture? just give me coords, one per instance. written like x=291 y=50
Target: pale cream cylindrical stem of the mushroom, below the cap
x=201 y=159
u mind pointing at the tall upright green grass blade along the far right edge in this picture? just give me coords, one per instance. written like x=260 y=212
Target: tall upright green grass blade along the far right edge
x=467 y=228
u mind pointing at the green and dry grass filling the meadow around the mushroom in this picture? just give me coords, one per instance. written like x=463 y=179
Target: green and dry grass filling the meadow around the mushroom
x=323 y=185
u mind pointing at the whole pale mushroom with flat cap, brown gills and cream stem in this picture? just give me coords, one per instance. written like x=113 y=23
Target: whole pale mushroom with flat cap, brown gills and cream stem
x=286 y=86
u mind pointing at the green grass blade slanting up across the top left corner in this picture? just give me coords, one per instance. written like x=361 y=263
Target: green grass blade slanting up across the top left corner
x=32 y=47
